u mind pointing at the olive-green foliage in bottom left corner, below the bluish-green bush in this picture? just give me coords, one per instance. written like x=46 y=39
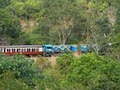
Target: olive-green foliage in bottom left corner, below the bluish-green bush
x=8 y=81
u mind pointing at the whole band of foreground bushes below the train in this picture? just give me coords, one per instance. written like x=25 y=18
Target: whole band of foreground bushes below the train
x=87 y=72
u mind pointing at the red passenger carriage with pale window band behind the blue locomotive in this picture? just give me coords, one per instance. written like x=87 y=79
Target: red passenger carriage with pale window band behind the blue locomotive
x=22 y=49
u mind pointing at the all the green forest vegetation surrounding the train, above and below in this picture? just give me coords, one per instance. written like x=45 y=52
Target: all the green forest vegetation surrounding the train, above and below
x=37 y=22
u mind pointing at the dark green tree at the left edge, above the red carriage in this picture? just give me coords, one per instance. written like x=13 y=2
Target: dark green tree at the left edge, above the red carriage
x=9 y=27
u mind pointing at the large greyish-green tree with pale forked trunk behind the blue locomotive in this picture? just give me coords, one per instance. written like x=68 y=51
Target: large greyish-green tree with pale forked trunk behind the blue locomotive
x=59 y=18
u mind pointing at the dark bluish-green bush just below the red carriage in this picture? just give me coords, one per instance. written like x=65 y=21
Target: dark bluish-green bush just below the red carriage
x=21 y=68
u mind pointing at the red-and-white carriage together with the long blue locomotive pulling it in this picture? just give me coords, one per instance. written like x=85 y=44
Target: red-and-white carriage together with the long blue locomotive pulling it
x=44 y=50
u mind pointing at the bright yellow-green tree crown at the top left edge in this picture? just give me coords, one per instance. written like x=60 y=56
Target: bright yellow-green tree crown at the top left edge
x=24 y=9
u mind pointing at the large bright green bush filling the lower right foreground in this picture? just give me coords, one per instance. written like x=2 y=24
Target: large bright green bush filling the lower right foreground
x=91 y=71
